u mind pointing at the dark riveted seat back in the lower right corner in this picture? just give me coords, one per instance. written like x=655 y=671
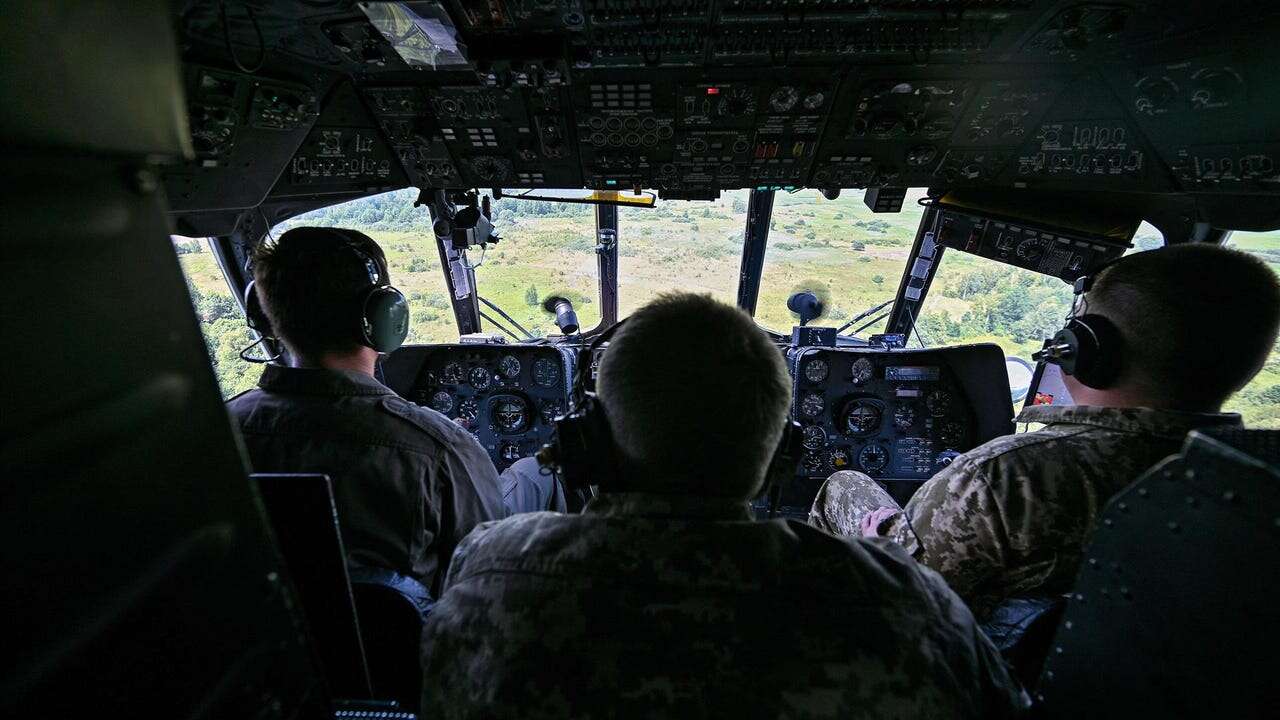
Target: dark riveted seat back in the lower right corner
x=1174 y=608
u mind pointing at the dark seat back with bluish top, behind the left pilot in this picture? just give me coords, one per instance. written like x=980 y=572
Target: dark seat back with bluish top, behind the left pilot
x=392 y=610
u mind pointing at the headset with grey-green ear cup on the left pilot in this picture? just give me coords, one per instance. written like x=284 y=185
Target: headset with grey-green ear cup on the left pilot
x=383 y=311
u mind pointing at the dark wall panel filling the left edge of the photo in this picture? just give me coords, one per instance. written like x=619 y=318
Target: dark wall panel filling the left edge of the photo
x=139 y=573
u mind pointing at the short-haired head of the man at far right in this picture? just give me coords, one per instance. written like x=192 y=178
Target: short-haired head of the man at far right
x=1199 y=321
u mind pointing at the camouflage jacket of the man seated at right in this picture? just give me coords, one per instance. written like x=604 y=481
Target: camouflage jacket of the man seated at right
x=1012 y=518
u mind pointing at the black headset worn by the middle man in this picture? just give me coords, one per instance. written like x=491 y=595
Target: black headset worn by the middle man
x=583 y=452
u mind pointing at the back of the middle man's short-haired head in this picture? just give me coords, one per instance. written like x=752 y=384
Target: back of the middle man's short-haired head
x=697 y=397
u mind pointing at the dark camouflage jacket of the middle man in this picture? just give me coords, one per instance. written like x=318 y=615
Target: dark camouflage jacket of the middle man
x=660 y=607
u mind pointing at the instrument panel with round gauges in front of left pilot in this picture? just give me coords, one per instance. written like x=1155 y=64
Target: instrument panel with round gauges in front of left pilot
x=508 y=397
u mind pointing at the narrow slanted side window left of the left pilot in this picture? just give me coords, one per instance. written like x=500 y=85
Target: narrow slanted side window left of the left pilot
x=221 y=318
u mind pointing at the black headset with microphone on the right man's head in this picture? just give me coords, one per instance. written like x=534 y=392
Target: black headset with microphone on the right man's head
x=1090 y=348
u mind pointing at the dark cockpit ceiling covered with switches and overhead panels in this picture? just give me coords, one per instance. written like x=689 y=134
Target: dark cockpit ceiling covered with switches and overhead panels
x=692 y=98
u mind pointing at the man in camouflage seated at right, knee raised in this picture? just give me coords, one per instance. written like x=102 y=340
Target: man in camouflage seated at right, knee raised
x=1012 y=518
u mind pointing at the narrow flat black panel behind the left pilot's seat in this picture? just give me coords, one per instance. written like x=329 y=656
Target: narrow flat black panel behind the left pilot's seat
x=305 y=521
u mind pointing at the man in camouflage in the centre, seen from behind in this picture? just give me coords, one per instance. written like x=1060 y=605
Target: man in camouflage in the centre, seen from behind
x=665 y=599
